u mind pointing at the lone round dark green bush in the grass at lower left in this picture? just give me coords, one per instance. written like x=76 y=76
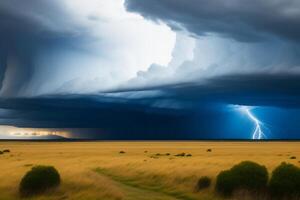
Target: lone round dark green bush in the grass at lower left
x=38 y=180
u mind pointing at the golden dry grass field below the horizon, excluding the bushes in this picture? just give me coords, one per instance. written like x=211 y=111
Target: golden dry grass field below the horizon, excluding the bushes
x=96 y=170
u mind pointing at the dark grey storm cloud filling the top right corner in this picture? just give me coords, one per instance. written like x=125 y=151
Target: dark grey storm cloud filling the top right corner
x=242 y=20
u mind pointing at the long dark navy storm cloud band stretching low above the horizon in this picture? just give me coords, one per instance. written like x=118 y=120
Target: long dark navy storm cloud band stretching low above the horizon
x=200 y=108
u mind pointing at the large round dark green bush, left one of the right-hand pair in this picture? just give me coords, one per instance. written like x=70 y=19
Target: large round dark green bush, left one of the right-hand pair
x=246 y=175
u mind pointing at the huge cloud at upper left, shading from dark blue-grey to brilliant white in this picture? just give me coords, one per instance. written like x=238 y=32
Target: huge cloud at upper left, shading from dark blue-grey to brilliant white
x=66 y=46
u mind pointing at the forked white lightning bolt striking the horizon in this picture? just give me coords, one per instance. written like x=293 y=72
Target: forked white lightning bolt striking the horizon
x=258 y=133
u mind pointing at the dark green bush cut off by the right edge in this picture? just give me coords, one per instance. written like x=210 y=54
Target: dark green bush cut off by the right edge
x=285 y=181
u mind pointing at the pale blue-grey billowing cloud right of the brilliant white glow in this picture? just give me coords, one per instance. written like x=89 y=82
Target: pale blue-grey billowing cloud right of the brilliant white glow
x=199 y=59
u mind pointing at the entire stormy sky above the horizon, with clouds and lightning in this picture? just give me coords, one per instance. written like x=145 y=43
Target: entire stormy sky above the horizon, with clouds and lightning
x=150 y=69
